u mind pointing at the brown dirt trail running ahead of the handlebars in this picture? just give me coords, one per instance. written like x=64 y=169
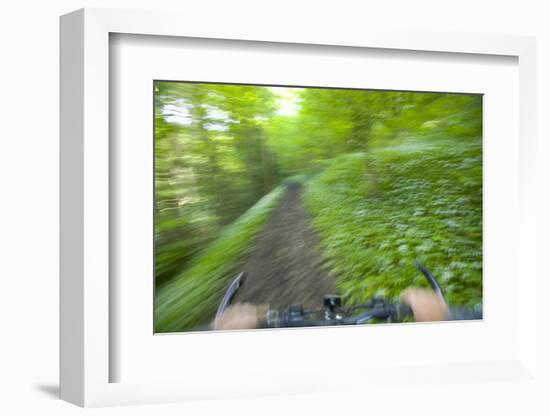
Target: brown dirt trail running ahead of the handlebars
x=284 y=265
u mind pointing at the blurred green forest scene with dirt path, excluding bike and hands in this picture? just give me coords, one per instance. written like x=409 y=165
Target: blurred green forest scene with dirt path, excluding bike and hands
x=312 y=191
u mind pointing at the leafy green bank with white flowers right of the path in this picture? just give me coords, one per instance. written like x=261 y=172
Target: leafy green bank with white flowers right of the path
x=378 y=212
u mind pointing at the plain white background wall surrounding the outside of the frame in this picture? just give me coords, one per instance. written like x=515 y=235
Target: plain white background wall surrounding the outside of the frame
x=29 y=56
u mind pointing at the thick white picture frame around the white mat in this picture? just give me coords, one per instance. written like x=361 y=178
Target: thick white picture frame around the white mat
x=85 y=211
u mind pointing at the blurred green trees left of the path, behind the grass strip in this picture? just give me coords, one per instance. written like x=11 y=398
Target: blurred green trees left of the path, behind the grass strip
x=211 y=165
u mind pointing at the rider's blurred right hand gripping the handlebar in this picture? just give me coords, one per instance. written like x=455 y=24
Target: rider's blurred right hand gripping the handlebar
x=425 y=304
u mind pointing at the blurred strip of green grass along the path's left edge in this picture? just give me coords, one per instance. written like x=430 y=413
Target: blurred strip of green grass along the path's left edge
x=190 y=298
